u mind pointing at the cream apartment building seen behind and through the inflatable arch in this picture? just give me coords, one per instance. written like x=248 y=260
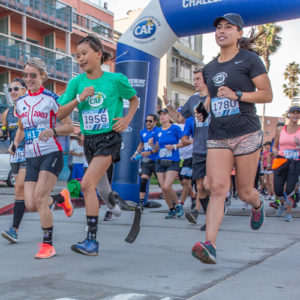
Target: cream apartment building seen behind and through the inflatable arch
x=176 y=66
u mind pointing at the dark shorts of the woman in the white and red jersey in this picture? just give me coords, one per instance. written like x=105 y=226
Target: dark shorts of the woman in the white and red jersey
x=52 y=162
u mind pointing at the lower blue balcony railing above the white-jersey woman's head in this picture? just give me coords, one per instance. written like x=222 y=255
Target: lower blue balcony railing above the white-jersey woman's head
x=14 y=53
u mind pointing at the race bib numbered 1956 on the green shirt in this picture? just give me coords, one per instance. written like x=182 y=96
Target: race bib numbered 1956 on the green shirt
x=95 y=119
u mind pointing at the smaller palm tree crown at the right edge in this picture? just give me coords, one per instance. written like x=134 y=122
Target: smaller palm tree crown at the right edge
x=291 y=89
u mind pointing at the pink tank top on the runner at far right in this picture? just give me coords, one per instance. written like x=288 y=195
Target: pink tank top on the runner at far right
x=287 y=144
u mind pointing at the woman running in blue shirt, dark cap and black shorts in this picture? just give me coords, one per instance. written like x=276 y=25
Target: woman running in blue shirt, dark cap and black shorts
x=167 y=161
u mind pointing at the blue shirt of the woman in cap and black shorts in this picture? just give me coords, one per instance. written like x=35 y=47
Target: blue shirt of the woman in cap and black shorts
x=170 y=136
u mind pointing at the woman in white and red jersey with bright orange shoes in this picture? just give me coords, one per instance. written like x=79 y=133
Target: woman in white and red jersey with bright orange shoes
x=37 y=112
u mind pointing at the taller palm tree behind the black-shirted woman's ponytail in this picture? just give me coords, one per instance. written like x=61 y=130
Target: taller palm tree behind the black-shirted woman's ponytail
x=267 y=43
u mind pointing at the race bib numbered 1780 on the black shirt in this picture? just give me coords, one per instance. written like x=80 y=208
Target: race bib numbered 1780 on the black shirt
x=222 y=107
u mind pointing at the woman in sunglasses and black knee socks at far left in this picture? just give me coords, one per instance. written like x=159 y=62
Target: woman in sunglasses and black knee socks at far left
x=16 y=89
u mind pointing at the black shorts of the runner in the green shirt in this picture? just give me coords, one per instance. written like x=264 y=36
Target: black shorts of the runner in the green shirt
x=103 y=144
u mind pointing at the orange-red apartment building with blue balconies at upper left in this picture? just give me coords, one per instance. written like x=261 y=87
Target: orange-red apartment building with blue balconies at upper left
x=50 y=29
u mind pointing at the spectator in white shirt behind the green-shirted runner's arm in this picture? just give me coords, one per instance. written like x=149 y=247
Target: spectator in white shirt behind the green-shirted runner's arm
x=76 y=150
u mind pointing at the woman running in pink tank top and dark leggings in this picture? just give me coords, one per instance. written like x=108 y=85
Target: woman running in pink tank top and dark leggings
x=287 y=164
